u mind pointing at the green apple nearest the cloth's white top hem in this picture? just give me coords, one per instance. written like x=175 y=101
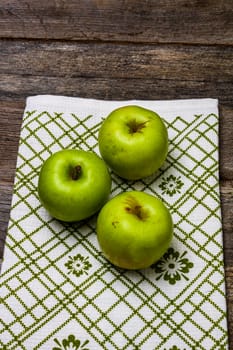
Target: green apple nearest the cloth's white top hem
x=133 y=141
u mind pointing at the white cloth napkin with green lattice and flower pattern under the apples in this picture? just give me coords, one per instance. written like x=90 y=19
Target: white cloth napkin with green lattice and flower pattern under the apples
x=58 y=291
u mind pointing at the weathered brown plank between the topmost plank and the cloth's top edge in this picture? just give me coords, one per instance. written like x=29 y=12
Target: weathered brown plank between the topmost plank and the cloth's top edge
x=101 y=70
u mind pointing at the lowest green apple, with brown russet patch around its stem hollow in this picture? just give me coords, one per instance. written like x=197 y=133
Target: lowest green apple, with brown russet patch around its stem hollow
x=134 y=230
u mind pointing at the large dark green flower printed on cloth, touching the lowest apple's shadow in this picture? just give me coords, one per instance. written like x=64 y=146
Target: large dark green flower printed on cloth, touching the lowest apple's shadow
x=173 y=266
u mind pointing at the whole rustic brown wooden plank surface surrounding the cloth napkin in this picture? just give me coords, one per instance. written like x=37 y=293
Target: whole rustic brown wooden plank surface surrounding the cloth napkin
x=118 y=49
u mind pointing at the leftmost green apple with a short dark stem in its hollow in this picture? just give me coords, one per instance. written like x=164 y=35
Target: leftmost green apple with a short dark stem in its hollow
x=73 y=184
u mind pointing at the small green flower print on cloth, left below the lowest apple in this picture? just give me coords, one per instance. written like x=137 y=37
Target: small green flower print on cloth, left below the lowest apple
x=78 y=265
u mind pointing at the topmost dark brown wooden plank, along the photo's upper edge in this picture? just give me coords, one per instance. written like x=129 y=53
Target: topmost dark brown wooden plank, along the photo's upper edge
x=179 y=21
